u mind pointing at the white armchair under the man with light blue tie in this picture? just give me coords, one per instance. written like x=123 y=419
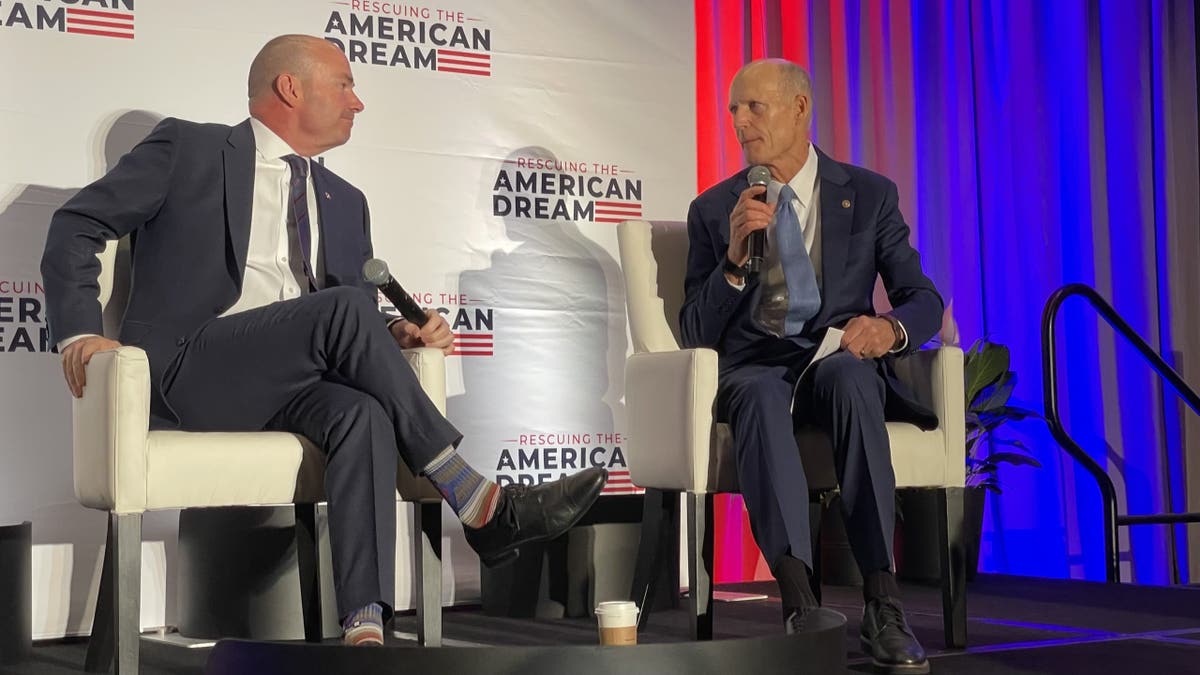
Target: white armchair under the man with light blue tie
x=675 y=447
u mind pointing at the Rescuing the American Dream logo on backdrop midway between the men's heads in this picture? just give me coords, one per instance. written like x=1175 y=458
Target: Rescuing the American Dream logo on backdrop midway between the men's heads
x=541 y=187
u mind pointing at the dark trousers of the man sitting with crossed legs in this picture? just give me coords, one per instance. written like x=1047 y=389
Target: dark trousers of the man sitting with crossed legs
x=326 y=367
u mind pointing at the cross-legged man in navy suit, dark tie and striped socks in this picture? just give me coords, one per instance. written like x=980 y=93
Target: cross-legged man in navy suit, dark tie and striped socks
x=249 y=300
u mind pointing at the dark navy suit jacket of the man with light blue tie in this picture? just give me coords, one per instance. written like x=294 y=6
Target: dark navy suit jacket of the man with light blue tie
x=863 y=236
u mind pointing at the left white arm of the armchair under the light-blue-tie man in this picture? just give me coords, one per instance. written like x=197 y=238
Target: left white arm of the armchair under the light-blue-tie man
x=669 y=401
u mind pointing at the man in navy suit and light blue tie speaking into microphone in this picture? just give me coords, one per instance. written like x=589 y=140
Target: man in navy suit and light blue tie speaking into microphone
x=831 y=229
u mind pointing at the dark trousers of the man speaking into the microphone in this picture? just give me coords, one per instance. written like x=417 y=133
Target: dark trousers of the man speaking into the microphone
x=845 y=398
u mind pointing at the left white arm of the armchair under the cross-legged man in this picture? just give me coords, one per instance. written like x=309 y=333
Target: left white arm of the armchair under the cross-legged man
x=111 y=427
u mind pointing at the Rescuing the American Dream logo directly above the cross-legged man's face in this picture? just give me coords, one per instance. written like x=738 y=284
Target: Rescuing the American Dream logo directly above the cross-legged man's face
x=411 y=37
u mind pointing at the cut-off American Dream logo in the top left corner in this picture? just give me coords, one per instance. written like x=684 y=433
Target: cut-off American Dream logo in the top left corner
x=99 y=19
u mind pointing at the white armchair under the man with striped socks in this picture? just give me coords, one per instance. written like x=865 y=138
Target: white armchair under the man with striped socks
x=125 y=469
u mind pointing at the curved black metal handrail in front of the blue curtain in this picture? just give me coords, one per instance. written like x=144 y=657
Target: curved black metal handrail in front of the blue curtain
x=1051 y=390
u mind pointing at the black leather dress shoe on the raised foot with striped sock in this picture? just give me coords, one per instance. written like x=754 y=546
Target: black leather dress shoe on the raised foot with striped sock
x=536 y=513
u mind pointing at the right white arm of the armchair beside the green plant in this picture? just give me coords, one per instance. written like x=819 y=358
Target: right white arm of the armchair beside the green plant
x=935 y=378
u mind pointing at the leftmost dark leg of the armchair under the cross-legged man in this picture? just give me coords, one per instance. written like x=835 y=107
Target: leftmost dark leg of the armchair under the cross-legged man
x=117 y=626
